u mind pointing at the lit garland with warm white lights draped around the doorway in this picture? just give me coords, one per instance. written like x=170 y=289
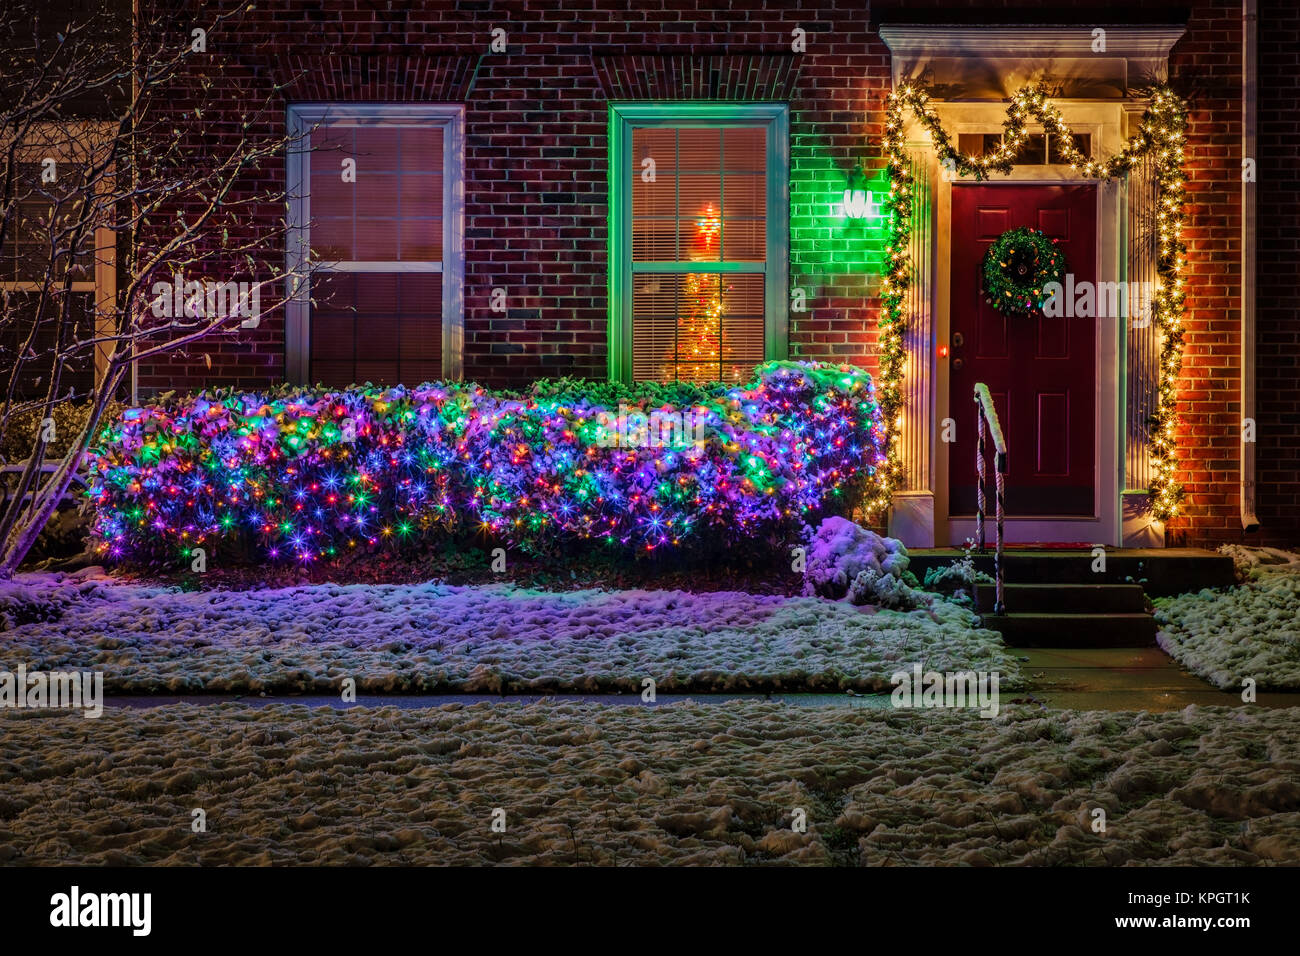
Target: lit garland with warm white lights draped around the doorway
x=1162 y=136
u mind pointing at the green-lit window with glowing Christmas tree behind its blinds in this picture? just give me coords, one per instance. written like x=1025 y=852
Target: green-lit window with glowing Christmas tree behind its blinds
x=699 y=240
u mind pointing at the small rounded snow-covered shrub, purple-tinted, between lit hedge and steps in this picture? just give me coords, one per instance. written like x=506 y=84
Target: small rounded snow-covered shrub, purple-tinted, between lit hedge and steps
x=846 y=560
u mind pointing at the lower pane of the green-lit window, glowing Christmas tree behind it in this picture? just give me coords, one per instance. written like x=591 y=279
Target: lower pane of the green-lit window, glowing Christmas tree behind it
x=697 y=327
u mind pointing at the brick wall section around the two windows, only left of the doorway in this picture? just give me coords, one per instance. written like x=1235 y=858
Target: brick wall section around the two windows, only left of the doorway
x=536 y=153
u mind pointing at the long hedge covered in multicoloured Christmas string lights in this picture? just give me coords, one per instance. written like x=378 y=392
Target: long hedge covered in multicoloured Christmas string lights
x=307 y=475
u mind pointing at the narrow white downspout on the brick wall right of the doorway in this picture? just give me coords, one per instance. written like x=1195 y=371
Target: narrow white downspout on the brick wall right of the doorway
x=1250 y=71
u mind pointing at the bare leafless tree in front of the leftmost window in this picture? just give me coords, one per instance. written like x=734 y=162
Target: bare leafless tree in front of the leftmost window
x=132 y=154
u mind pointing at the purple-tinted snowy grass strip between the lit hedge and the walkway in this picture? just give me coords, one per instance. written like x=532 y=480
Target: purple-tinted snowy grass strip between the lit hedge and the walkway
x=436 y=638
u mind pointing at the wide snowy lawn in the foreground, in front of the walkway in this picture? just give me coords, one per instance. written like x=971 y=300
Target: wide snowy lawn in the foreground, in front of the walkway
x=692 y=784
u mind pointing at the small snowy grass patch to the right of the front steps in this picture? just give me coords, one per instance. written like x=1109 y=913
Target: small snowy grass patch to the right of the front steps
x=1250 y=631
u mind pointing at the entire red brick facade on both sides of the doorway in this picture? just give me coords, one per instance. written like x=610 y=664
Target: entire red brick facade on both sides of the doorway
x=536 y=179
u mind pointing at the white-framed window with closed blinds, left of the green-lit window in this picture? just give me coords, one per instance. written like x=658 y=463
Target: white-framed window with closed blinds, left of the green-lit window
x=378 y=226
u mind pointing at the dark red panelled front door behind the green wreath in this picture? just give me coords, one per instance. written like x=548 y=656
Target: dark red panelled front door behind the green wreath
x=1042 y=373
